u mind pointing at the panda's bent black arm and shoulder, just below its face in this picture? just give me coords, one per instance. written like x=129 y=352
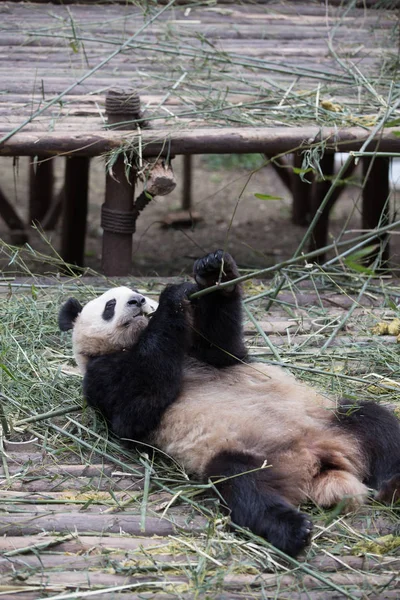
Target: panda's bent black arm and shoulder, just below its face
x=133 y=388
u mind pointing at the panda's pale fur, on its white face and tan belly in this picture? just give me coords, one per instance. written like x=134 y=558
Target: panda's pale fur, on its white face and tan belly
x=251 y=408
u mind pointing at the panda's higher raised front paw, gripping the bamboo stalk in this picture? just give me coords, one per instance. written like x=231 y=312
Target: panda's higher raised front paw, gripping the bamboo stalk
x=216 y=267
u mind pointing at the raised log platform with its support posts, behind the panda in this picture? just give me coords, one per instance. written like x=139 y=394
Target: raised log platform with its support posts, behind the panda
x=269 y=77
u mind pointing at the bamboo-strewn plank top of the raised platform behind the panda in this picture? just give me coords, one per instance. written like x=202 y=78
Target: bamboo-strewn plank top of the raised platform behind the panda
x=268 y=65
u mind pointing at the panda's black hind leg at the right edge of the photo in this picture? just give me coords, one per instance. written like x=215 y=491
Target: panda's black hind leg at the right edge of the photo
x=378 y=432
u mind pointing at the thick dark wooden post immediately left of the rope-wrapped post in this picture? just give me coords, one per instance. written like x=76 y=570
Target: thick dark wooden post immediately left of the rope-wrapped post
x=75 y=209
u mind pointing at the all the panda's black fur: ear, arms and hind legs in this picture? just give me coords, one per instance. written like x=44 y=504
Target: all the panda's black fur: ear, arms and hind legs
x=133 y=389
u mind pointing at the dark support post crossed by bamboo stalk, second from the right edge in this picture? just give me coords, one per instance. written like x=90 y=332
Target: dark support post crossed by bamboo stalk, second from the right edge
x=319 y=190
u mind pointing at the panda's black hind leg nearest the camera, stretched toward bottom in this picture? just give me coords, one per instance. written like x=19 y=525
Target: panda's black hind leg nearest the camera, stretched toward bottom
x=254 y=499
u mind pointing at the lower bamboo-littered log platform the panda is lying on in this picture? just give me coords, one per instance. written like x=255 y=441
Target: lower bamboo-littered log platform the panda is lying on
x=80 y=517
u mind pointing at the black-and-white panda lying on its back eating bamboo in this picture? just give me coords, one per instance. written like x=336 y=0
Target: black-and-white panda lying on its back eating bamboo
x=181 y=381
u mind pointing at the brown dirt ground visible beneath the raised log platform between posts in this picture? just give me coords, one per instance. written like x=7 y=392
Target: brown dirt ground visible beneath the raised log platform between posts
x=261 y=232
